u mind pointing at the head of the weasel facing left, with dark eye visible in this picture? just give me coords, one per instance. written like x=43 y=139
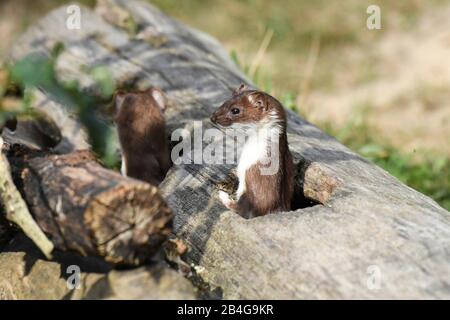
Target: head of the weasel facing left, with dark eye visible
x=248 y=107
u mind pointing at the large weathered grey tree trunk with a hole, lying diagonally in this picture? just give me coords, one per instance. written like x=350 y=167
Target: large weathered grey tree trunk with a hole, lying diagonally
x=369 y=236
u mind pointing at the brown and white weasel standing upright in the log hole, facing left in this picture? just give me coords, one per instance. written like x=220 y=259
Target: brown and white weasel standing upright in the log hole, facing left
x=260 y=191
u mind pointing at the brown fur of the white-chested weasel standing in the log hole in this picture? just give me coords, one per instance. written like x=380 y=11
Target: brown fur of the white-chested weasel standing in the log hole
x=263 y=193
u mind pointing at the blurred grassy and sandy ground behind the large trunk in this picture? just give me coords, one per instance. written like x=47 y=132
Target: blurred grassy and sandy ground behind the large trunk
x=383 y=93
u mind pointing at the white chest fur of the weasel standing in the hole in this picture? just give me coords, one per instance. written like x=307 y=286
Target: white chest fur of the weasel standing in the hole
x=255 y=149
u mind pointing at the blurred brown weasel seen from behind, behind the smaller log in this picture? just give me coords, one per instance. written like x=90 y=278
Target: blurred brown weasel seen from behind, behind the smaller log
x=142 y=133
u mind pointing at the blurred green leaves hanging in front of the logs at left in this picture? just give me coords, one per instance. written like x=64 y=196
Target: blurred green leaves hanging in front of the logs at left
x=36 y=71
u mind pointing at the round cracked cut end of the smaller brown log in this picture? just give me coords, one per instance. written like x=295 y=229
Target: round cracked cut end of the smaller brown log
x=128 y=223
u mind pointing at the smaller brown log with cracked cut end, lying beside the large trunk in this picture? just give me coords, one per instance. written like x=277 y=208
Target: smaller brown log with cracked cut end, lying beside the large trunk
x=89 y=209
